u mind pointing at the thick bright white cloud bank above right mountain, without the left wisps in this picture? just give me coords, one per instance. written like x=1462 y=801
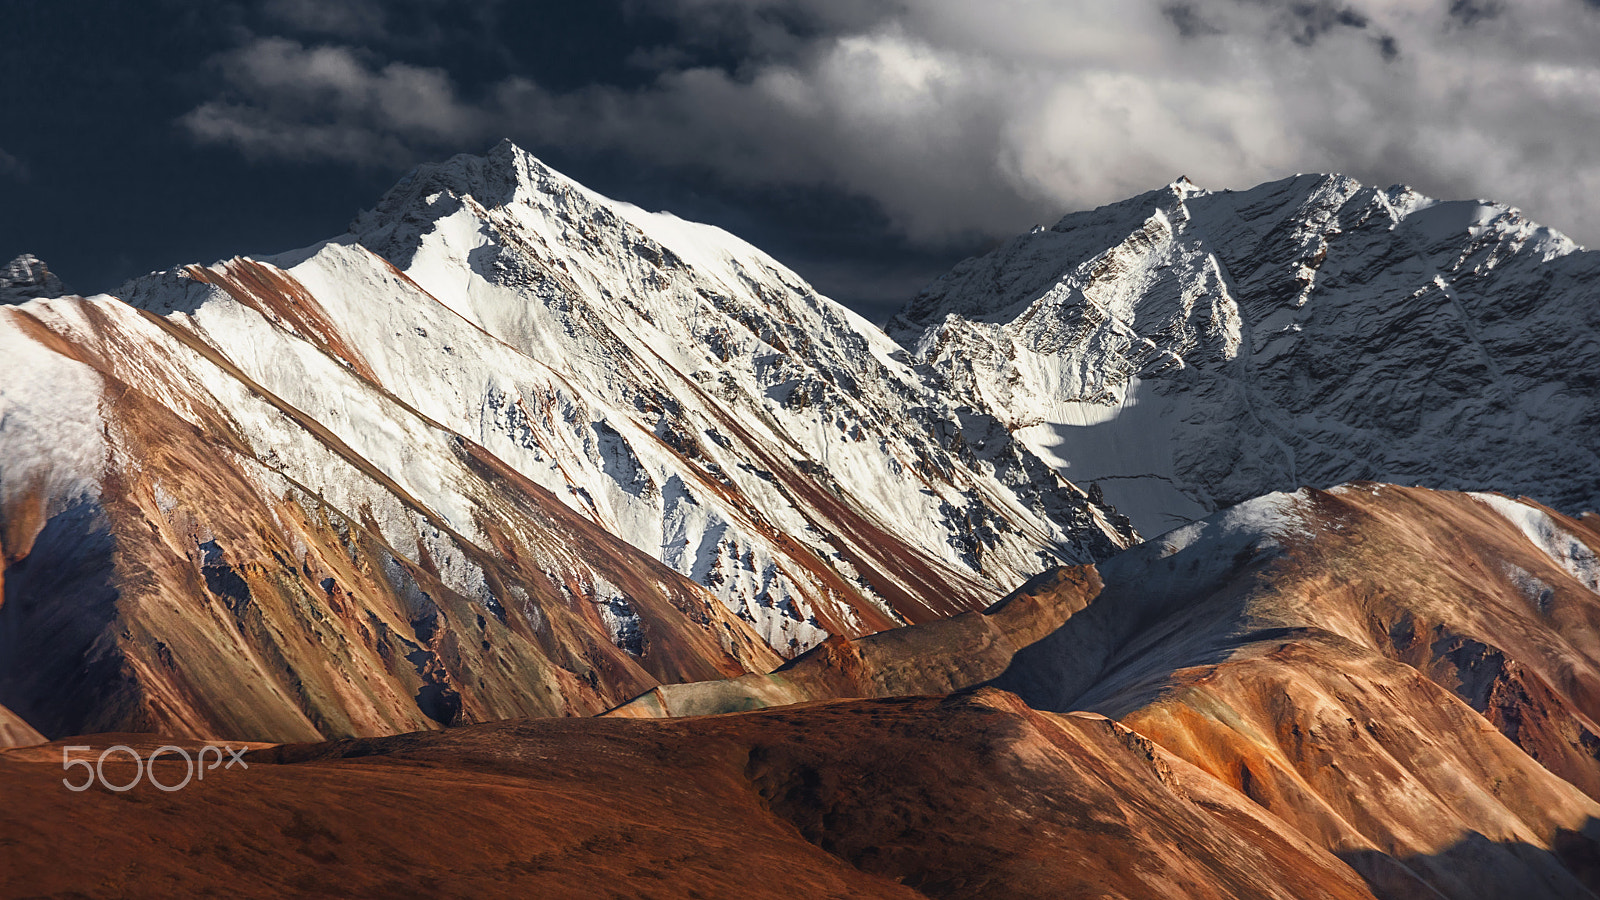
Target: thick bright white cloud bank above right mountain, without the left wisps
x=958 y=115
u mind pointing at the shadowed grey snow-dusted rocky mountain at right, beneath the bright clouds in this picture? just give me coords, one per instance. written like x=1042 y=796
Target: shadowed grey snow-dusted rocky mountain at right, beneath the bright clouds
x=1186 y=350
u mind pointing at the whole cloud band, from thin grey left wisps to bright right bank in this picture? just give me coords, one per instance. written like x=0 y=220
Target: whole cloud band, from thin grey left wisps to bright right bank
x=959 y=116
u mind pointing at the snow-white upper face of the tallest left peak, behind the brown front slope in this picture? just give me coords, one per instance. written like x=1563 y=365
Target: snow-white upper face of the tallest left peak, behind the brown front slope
x=703 y=403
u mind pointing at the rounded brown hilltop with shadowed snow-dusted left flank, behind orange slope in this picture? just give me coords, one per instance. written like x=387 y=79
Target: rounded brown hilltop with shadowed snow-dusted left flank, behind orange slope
x=1449 y=584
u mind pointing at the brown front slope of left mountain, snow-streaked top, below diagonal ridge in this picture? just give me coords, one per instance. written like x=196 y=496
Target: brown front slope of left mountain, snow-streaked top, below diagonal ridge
x=175 y=582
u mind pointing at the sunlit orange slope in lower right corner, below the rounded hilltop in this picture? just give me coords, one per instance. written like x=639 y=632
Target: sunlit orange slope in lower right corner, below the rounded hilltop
x=1382 y=766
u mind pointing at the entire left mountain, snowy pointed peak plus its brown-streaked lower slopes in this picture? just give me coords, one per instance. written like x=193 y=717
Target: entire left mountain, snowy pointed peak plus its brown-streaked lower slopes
x=506 y=449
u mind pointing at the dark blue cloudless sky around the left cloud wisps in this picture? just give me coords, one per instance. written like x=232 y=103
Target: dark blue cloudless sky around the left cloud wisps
x=105 y=182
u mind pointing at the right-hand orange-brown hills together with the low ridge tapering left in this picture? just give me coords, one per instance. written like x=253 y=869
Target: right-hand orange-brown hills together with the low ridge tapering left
x=1406 y=678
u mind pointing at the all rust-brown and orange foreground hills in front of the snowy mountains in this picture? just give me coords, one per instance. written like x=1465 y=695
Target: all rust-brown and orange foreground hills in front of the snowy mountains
x=1367 y=693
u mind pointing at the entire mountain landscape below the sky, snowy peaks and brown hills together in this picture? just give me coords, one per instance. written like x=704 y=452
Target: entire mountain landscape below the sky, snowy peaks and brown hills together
x=692 y=581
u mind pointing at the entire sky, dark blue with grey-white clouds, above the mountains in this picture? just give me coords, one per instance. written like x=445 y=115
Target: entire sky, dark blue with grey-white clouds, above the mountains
x=924 y=127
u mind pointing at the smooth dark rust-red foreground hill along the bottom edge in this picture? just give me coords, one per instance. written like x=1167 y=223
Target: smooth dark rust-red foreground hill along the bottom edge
x=964 y=798
